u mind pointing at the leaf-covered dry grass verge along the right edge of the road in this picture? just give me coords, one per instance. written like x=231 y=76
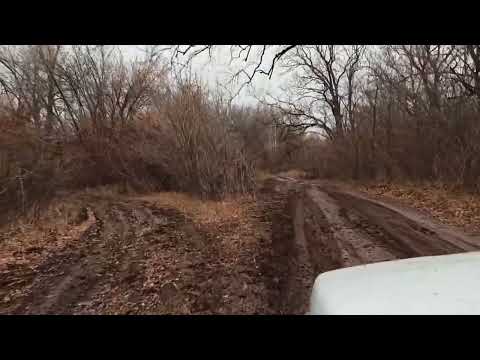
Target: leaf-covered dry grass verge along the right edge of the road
x=449 y=206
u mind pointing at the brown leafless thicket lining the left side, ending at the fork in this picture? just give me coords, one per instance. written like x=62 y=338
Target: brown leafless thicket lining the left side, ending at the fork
x=76 y=117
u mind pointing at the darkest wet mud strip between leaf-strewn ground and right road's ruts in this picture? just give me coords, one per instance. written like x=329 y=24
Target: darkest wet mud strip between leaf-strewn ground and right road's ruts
x=286 y=264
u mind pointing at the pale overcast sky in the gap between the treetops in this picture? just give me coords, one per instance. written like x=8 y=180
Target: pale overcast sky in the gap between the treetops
x=218 y=69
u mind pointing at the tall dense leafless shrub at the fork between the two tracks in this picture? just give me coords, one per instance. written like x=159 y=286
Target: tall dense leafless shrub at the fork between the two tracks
x=204 y=157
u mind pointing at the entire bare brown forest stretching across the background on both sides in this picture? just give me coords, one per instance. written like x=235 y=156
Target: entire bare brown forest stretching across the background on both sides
x=82 y=116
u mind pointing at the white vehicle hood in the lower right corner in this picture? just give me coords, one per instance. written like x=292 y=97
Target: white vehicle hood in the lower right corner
x=446 y=284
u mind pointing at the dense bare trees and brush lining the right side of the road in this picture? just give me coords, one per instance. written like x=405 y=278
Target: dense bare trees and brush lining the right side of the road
x=390 y=112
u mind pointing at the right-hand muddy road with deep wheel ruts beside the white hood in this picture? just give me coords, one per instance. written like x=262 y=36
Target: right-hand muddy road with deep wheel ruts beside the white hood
x=334 y=227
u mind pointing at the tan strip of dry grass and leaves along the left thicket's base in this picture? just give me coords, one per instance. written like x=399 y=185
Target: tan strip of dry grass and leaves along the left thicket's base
x=30 y=238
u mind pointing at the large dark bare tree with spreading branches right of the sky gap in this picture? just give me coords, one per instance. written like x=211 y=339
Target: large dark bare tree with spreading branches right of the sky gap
x=323 y=89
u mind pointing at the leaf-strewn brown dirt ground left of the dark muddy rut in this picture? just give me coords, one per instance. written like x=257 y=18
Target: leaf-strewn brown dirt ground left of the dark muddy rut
x=139 y=256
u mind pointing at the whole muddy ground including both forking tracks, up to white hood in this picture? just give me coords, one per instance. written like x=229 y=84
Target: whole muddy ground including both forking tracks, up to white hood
x=135 y=256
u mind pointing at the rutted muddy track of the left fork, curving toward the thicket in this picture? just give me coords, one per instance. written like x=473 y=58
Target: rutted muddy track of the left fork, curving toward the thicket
x=108 y=259
